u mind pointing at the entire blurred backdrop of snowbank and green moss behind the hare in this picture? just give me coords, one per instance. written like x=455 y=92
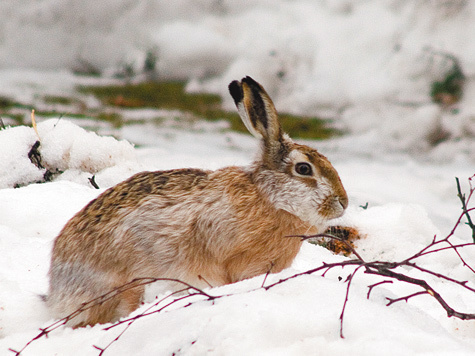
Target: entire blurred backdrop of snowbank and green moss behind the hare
x=379 y=76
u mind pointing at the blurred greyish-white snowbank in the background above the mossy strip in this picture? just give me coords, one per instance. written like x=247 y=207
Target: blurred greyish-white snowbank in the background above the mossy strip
x=367 y=64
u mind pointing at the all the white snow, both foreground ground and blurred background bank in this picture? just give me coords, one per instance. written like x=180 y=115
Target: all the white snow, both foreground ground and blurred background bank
x=367 y=64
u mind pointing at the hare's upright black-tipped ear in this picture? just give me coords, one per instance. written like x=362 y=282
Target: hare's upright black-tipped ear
x=256 y=109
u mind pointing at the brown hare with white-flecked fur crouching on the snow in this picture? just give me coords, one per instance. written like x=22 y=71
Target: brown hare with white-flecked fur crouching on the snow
x=202 y=227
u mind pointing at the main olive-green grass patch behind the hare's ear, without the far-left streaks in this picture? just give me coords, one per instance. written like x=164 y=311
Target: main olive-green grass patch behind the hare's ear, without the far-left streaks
x=172 y=96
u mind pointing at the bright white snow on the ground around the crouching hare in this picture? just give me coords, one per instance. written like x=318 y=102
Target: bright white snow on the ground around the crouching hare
x=409 y=202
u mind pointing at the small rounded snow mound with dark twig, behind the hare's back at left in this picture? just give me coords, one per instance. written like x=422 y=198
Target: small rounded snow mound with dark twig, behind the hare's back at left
x=60 y=150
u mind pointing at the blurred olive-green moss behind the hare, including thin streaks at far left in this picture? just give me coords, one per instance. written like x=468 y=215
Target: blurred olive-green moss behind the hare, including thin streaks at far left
x=162 y=95
